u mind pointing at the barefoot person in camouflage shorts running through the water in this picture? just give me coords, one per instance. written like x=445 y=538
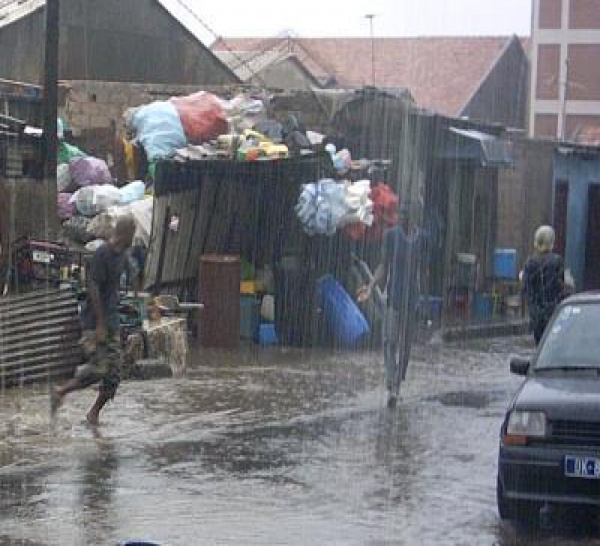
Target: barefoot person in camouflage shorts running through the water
x=100 y=317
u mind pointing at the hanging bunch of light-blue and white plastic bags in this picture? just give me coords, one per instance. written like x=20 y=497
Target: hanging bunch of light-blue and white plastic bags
x=326 y=206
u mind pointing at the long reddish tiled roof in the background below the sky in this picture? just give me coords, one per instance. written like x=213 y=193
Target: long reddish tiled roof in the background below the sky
x=442 y=73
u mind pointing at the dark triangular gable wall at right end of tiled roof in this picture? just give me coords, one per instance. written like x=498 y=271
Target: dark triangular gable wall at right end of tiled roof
x=502 y=96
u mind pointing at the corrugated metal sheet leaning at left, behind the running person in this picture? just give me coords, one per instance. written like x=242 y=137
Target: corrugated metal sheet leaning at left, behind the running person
x=39 y=336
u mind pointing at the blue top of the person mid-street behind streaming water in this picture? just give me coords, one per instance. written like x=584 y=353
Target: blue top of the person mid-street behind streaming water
x=404 y=254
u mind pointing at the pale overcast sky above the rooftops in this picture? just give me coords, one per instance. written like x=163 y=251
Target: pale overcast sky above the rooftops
x=314 y=18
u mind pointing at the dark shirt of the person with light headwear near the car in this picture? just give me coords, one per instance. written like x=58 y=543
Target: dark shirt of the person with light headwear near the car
x=543 y=282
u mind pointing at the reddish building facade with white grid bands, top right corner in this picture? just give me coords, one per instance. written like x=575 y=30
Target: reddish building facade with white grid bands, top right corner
x=565 y=68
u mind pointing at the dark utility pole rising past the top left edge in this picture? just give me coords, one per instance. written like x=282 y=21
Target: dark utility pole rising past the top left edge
x=50 y=106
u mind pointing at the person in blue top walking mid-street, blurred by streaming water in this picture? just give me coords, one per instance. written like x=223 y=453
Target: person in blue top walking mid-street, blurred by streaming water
x=398 y=271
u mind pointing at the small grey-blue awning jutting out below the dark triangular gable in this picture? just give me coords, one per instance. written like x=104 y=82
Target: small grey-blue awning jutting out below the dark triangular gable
x=471 y=145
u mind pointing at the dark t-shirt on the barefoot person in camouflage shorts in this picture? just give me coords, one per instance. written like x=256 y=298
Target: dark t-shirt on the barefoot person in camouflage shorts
x=105 y=272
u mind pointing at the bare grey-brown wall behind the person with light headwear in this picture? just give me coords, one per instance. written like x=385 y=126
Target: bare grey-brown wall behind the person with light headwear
x=525 y=195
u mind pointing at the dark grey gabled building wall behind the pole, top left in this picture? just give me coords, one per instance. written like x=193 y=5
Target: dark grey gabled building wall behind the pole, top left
x=112 y=40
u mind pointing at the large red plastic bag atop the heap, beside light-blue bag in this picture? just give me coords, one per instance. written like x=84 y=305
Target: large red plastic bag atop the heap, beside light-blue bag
x=202 y=117
